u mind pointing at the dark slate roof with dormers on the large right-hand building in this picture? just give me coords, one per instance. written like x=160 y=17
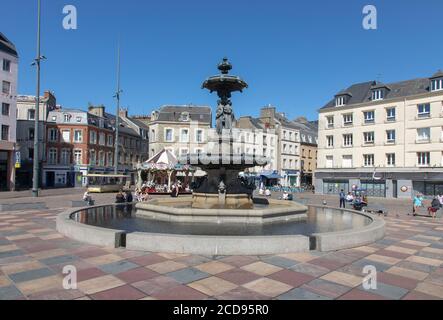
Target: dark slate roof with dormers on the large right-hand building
x=361 y=92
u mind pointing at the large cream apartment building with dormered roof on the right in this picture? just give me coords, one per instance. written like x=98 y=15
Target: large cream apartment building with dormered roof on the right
x=384 y=138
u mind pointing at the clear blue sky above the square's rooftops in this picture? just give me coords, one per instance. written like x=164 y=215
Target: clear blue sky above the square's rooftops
x=294 y=54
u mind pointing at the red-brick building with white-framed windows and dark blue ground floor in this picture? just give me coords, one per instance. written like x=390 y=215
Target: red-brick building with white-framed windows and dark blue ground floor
x=78 y=143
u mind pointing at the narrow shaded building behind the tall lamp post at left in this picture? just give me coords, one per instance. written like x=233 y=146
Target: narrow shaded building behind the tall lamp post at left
x=26 y=133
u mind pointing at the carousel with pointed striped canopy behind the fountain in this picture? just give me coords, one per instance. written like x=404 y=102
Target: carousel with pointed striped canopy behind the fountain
x=161 y=172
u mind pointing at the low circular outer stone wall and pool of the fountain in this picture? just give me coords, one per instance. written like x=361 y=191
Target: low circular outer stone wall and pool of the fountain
x=326 y=229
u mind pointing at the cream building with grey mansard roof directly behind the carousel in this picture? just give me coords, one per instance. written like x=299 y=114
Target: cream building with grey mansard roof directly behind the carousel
x=180 y=129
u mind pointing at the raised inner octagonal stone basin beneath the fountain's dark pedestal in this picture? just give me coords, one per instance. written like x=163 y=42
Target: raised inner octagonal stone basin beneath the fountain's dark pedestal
x=182 y=210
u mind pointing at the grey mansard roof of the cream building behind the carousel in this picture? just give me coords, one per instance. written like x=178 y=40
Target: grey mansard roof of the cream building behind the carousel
x=174 y=113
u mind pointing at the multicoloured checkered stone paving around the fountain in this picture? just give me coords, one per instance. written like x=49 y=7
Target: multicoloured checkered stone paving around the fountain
x=409 y=261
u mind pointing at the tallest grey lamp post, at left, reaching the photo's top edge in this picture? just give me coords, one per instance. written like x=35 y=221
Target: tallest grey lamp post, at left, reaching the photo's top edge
x=37 y=61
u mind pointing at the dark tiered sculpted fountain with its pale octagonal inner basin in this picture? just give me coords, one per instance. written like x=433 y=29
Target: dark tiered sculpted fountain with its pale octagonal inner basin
x=223 y=196
